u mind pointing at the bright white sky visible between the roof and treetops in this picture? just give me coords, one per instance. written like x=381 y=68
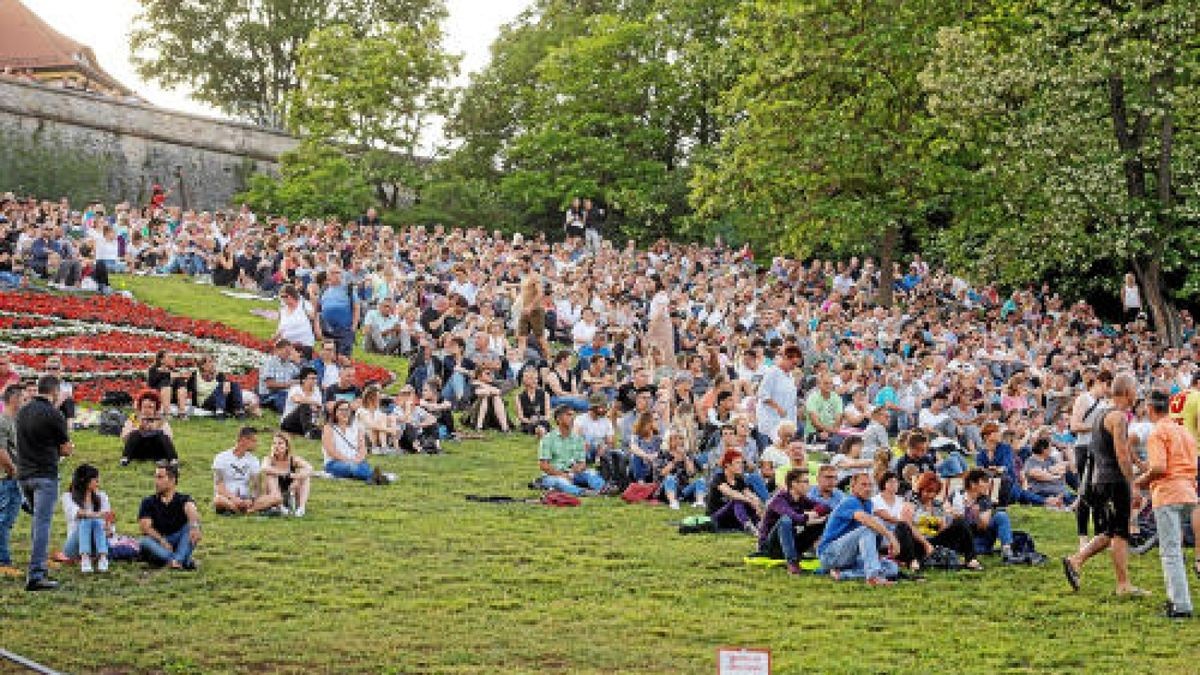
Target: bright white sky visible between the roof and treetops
x=105 y=27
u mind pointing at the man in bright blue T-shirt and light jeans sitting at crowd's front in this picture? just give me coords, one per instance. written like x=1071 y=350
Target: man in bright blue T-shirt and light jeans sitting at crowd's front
x=850 y=545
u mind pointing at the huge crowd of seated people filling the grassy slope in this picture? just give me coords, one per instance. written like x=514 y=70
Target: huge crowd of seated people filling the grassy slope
x=727 y=384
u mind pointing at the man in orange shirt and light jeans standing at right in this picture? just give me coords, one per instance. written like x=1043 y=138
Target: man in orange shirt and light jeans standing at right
x=1172 y=479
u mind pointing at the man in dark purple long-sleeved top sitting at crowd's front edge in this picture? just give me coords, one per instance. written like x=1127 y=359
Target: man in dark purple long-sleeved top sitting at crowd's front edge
x=788 y=510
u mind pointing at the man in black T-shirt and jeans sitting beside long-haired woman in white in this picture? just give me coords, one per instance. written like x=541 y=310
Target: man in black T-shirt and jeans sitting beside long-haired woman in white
x=170 y=523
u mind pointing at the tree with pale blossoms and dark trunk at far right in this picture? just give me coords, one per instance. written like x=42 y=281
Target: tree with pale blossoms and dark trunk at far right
x=1081 y=122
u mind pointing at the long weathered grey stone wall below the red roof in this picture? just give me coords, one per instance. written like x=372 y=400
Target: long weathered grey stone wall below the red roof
x=202 y=160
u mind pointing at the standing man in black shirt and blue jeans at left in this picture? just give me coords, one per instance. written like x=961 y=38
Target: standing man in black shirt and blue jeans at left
x=43 y=439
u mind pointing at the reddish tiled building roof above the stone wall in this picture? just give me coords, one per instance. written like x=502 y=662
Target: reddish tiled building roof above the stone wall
x=27 y=43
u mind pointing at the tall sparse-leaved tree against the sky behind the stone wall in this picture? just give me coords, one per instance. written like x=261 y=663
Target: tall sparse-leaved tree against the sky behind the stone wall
x=242 y=56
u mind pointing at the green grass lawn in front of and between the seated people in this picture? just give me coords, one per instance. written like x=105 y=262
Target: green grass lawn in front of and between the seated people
x=412 y=578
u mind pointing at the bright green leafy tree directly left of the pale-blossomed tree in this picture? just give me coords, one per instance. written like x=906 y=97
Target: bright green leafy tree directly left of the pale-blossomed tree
x=830 y=148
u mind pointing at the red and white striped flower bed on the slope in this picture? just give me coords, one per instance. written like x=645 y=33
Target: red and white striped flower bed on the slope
x=107 y=343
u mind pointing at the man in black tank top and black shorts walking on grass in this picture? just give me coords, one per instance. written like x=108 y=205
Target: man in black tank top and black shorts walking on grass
x=1112 y=495
